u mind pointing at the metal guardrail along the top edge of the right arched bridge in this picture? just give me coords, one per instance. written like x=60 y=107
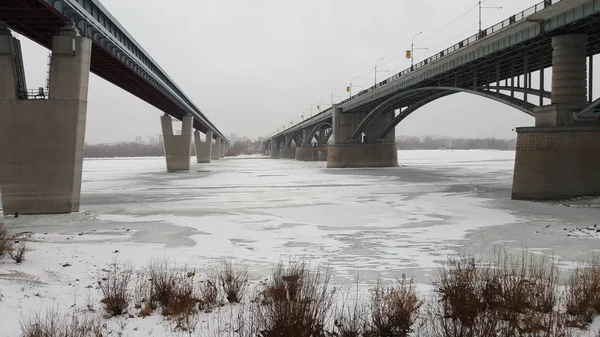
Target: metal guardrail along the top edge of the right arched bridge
x=454 y=48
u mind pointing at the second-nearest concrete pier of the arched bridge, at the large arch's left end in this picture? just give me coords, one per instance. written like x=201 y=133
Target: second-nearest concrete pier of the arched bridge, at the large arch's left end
x=371 y=152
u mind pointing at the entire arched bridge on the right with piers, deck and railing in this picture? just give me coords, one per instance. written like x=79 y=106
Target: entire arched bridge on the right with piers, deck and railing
x=556 y=158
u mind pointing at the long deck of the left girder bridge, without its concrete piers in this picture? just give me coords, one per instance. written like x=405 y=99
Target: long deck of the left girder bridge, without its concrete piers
x=39 y=21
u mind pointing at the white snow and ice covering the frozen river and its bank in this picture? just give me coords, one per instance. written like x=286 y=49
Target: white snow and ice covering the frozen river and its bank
x=374 y=222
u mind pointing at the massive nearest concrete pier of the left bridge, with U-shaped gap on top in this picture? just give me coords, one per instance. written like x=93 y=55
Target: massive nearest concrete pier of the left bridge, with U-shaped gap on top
x=41 y=141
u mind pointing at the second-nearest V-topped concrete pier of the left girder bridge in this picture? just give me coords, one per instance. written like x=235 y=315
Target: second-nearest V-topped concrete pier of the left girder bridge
x=177 y=147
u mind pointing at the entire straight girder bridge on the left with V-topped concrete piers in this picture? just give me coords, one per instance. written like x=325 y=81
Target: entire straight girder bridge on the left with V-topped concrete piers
x=42 y=131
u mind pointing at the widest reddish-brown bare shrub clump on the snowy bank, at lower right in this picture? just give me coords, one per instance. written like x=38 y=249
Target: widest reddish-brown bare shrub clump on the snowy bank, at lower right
x=514 y=296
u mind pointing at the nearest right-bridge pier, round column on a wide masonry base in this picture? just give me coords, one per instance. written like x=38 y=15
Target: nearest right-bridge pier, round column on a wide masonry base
x=558 y=158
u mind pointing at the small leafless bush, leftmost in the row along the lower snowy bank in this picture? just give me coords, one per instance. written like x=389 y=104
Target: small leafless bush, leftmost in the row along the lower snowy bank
x=115 y=290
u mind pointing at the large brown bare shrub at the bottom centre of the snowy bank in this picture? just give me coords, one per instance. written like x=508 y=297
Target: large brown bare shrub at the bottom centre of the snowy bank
x=303 y=310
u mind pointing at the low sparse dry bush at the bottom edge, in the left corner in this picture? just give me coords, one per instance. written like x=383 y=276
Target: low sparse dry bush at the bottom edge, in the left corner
x=55 y=324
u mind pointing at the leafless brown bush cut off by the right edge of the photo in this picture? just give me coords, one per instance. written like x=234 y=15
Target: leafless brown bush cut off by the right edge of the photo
x=583 y=294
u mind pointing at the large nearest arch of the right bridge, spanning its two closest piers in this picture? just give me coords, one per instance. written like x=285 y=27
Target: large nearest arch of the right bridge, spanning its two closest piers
x=436 y=93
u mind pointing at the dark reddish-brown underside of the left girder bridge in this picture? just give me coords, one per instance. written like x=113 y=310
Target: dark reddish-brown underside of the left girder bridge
x=40 y=22
